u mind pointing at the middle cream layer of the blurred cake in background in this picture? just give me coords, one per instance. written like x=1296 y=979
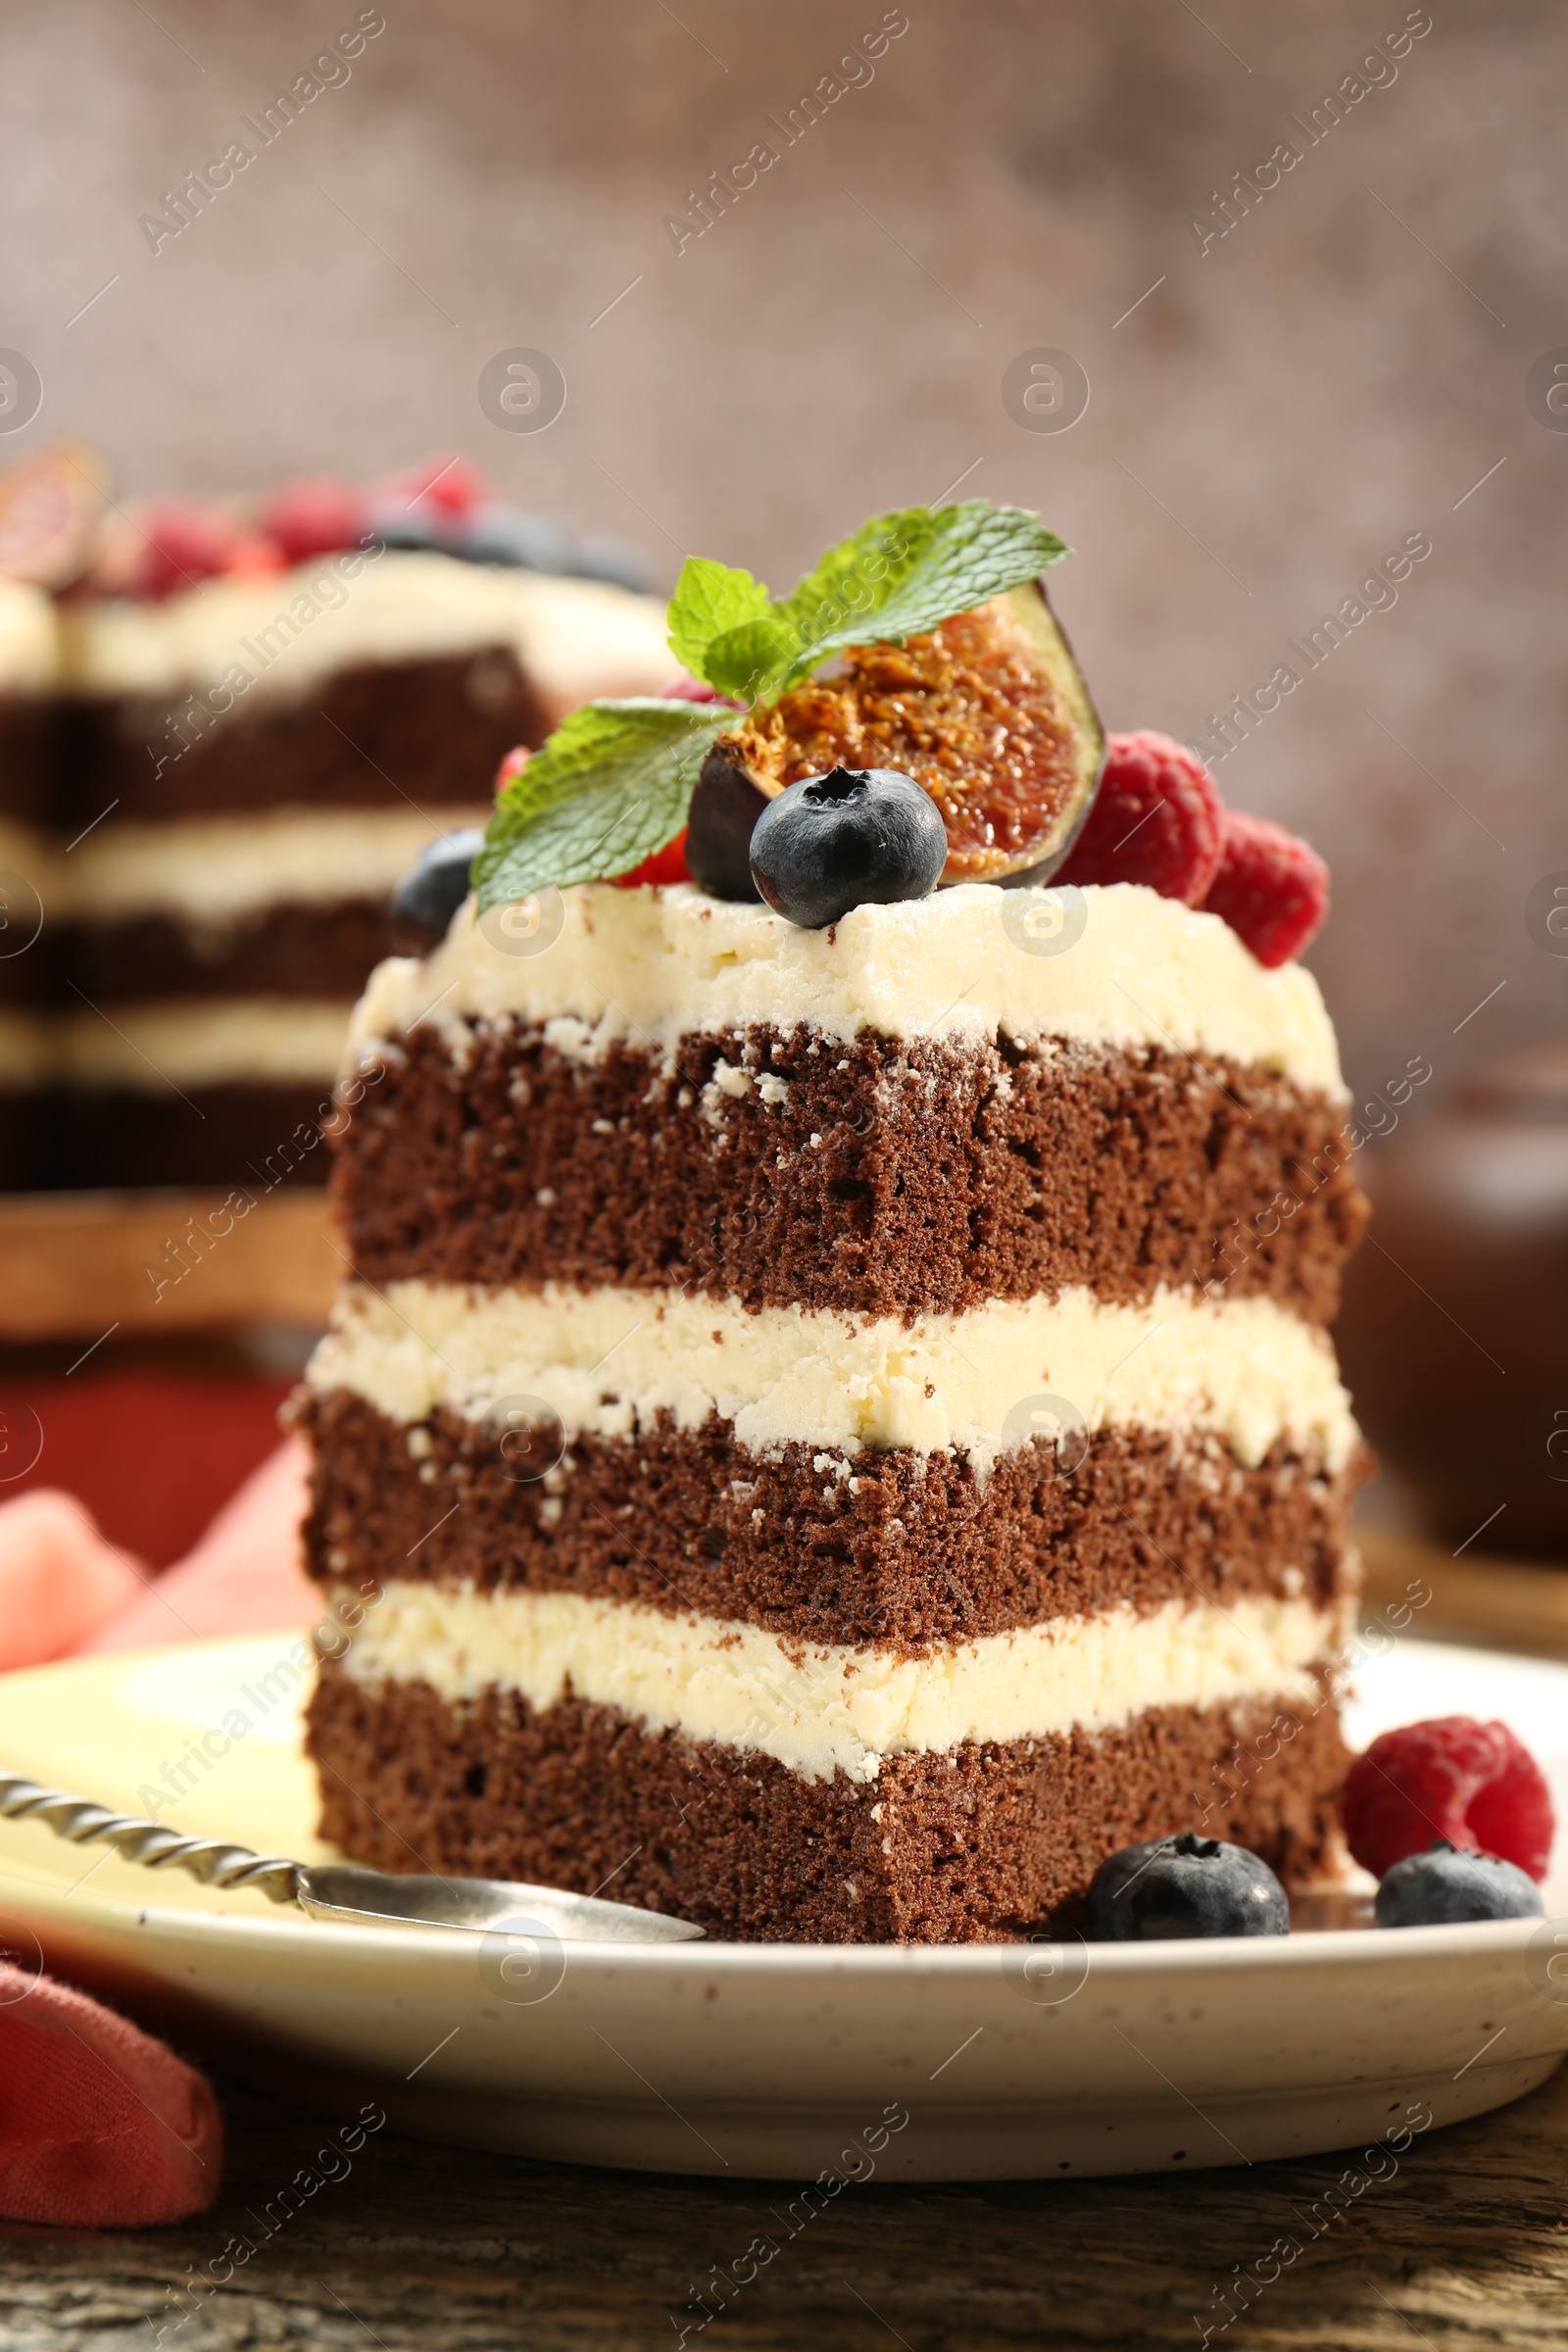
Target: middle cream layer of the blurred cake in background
x=215 y=869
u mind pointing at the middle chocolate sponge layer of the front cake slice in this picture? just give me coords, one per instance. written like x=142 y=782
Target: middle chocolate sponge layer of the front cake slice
x=906 y=1553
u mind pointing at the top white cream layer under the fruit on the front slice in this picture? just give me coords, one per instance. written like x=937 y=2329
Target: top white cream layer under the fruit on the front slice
x=666 y=963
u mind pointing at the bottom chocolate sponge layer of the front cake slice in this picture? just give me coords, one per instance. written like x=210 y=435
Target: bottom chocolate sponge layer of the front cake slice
x=960 y=1847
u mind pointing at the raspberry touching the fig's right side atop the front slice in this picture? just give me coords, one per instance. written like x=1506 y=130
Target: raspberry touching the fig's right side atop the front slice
x=1155 y=820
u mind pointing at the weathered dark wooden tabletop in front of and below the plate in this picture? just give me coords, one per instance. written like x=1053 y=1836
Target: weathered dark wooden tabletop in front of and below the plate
x=438 y=2247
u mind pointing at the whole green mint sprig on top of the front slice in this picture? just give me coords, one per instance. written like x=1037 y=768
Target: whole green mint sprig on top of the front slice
x=615 y=780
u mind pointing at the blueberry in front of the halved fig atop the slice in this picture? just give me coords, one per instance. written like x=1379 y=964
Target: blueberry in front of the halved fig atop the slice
x=857 y=836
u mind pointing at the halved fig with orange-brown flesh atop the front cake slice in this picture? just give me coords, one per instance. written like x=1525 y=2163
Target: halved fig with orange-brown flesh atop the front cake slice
x=989 y=714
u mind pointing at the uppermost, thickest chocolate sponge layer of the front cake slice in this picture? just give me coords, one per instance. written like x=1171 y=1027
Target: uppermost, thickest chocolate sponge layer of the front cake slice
x=878 y=1177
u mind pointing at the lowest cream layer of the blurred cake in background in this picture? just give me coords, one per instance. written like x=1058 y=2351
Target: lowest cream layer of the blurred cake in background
x=206 y=1043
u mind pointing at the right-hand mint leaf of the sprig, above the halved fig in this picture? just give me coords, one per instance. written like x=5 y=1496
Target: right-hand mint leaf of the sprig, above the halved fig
x=906 y=573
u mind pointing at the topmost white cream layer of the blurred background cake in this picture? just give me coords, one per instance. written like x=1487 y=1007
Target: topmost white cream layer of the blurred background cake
x=288 y=634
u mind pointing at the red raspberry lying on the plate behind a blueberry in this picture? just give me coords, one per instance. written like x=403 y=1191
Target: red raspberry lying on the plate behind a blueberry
x=1452 y=1777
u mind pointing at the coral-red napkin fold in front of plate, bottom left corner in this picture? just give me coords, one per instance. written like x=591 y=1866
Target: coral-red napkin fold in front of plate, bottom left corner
x=100 y=2125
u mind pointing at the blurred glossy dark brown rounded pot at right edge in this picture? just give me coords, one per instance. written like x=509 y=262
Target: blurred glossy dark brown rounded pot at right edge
x=1454 y=1325
